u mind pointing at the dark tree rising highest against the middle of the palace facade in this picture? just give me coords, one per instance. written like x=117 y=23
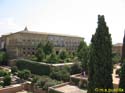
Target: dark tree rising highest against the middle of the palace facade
x=48 y=48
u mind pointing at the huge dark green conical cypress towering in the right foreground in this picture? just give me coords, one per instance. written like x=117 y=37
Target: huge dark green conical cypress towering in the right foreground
x=100 y=62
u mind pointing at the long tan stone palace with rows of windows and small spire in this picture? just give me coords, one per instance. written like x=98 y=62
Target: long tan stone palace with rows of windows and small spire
x=23 y=43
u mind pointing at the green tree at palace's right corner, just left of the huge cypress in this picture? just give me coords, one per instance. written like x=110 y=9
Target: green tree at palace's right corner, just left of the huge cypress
x=82 y=54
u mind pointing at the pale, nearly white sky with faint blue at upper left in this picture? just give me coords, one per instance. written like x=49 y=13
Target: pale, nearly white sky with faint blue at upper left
x=75 y=17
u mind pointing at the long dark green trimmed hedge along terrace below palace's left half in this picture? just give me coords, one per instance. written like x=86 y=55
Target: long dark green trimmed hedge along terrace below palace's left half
x=34 y=67
